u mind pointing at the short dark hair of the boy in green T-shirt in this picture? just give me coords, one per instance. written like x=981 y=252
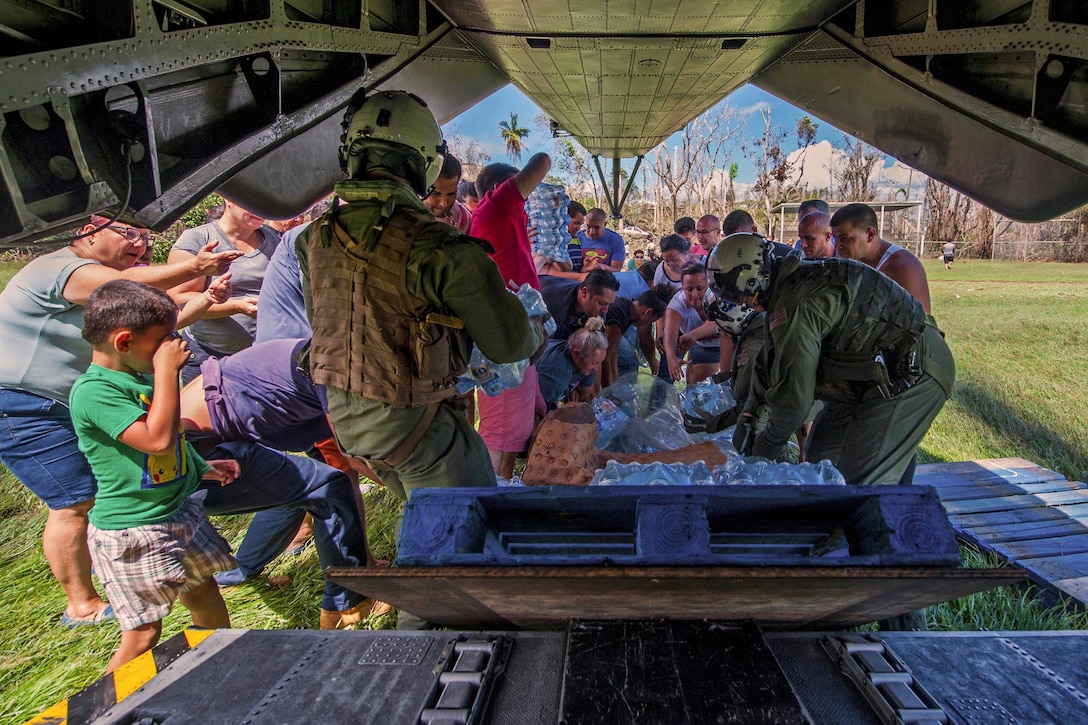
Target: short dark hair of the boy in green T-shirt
x=123 y=304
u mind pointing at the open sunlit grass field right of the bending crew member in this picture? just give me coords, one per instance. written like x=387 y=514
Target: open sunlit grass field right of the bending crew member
x=1021 y=348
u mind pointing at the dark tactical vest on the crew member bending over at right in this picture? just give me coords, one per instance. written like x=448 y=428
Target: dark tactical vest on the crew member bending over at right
x=877 y=341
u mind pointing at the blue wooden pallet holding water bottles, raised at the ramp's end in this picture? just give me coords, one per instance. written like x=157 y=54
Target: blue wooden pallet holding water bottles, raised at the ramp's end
x=682 y=526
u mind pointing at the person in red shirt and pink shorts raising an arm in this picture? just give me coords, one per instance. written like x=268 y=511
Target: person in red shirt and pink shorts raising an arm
x=506 y=421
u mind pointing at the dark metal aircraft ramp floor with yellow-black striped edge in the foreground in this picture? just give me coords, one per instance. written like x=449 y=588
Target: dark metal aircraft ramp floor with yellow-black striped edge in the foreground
x=597 y=672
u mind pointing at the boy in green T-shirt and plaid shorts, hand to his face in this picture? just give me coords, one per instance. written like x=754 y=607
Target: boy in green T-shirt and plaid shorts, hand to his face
x=150 y=538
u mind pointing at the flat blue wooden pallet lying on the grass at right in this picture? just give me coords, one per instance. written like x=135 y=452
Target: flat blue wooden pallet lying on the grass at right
x=1027 y=514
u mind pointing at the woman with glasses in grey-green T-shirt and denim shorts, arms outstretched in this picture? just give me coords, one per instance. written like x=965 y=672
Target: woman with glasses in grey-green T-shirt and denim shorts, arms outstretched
x=41 y=323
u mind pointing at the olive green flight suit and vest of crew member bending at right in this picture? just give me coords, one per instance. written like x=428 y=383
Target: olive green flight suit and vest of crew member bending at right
x=851 y=338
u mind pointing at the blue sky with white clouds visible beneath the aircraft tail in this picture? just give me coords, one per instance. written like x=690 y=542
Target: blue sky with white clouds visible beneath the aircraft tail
x=481 y=122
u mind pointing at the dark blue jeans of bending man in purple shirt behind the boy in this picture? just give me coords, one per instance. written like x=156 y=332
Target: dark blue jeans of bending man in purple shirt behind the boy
x=271 y=480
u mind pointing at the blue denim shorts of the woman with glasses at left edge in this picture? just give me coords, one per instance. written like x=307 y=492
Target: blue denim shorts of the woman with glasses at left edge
x=39 y=446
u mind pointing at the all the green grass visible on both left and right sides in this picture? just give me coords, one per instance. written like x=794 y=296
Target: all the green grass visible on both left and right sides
x=1019 y=333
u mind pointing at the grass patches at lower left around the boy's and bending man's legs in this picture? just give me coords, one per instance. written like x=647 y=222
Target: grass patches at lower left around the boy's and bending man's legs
x=42 y=662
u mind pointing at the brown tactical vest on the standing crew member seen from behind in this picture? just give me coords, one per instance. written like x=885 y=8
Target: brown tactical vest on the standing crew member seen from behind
x=372 y=337
